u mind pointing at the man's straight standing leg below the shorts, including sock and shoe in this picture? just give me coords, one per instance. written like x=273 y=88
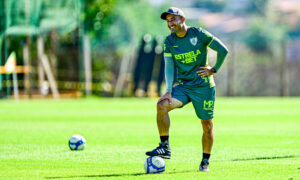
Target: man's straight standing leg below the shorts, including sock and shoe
x=208 y=137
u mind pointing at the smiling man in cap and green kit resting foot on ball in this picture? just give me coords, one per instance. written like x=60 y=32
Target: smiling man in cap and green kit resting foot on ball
x=186 y=47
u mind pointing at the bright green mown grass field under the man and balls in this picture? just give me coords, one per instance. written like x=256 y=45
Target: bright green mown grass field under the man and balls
x=256 y=138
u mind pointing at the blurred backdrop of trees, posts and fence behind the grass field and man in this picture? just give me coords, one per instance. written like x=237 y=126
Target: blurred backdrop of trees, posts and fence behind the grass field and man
x=113 y=48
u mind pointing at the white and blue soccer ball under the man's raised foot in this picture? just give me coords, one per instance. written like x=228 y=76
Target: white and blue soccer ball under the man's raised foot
x=154 y=164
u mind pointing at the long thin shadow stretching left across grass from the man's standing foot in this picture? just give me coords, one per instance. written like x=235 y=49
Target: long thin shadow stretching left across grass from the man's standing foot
x=116 y=175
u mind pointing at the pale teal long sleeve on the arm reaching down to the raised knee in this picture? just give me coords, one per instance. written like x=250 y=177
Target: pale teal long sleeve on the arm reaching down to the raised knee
x=169 y=68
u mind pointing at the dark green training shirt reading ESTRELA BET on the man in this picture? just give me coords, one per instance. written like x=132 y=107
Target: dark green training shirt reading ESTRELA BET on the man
x=189 y=53
